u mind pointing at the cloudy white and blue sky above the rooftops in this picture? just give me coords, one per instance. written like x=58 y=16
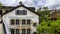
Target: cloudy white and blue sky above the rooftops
x=33 y=3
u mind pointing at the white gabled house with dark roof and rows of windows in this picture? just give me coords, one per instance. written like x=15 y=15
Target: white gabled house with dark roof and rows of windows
x=19 y=20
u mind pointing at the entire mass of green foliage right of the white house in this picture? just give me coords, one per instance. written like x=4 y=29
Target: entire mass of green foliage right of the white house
x=48 y=26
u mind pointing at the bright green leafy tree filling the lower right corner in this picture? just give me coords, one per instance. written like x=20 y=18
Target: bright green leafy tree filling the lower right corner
x=50 y=27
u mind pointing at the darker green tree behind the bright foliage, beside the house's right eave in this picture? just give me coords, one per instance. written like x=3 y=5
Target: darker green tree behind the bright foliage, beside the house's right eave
x=43 y=13
